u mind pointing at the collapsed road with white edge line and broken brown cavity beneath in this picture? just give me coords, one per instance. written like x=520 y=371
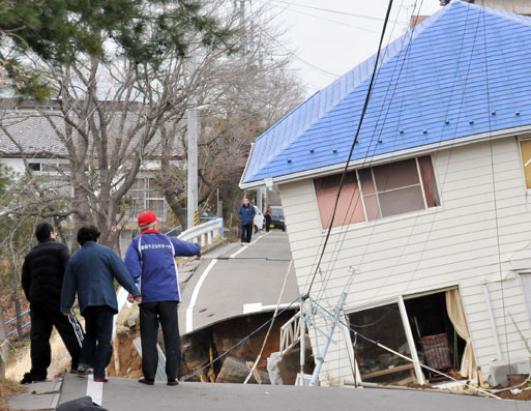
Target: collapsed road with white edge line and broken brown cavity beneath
x=226 y=296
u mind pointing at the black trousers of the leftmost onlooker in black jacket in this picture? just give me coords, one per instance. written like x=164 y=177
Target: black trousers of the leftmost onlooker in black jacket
x=43 y=318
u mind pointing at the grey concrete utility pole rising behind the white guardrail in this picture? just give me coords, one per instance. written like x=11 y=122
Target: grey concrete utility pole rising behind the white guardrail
x=192 y=213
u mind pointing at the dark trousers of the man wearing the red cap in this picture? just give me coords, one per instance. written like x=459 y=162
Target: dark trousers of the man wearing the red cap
x=165 y=313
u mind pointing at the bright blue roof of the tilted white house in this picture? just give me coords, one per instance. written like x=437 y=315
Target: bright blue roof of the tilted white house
x=464 y=71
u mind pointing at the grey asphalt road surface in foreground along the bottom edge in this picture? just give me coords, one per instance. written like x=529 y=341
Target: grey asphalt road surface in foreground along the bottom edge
x=129 y=395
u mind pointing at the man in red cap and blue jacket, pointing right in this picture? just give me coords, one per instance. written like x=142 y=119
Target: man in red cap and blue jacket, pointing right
x=150 y=260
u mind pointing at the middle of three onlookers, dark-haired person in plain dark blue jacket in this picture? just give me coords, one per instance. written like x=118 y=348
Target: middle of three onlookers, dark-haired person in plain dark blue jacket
x=90 y=273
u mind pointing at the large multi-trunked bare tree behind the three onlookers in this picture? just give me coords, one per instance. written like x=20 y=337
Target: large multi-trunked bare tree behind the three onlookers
x=113 y=111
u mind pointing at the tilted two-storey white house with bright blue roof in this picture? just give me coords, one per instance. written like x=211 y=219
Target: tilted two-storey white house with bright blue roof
x=433 y=227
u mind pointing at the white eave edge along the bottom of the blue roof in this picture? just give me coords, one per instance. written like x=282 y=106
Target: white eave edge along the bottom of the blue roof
x=385 y=158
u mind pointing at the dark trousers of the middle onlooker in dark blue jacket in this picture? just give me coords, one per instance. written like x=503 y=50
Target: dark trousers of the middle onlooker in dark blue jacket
x=97 y=346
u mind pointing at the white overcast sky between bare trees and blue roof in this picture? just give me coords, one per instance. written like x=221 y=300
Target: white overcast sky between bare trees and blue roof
x=326 y=44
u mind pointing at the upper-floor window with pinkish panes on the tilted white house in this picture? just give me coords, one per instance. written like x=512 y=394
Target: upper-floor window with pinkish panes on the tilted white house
x=386 y=190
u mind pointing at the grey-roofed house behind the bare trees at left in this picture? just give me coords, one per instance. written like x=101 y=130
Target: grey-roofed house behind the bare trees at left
x=35 y=144
